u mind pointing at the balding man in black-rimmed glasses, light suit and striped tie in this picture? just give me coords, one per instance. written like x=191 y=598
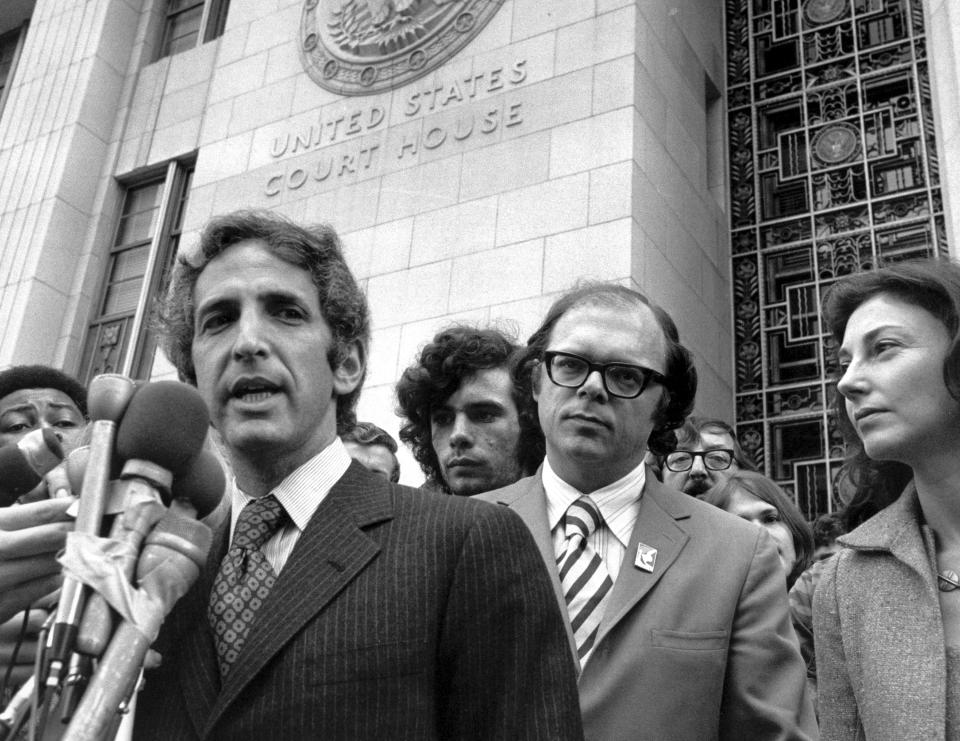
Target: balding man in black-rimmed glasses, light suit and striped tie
x=676 y=611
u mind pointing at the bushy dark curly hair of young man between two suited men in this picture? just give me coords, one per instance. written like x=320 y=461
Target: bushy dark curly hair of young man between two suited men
x=454 y=354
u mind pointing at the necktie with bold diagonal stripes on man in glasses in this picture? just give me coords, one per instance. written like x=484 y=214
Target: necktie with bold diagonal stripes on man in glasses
x=584 y=578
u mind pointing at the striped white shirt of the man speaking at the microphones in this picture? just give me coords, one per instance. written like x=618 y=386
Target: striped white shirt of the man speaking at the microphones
x=300 y=494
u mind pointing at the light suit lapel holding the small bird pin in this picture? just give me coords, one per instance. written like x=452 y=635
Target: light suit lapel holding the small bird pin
x=656 y=527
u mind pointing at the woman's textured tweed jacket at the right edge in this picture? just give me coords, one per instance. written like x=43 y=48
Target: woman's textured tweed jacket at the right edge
x=878 y=633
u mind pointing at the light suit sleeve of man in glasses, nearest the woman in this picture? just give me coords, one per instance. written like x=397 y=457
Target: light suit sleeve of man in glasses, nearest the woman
x=765 y=694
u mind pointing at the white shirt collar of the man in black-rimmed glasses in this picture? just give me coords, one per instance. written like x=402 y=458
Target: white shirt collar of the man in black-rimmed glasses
x=619 y=501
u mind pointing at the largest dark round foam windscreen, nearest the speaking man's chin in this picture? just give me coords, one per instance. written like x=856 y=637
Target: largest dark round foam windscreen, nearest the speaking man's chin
x=165 y=423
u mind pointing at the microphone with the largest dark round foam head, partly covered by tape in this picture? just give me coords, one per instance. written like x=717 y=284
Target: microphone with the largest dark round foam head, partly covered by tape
x=158 y=450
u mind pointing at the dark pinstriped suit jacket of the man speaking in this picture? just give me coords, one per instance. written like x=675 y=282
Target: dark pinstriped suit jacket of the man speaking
x=399 y=615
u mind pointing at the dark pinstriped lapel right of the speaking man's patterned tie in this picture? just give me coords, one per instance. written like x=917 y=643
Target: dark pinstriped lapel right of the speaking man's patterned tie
x=329 y=554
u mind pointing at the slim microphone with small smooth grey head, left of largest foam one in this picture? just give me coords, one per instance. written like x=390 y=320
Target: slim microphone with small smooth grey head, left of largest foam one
x=107 y=400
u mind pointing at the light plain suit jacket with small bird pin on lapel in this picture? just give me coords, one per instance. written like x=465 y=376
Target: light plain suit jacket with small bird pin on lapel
x=701 y=647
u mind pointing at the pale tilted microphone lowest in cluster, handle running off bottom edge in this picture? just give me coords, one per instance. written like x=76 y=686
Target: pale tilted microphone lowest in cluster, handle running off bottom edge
x=172 y=556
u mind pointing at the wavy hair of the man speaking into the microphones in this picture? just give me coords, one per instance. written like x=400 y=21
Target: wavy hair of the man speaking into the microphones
x=315 y=249
